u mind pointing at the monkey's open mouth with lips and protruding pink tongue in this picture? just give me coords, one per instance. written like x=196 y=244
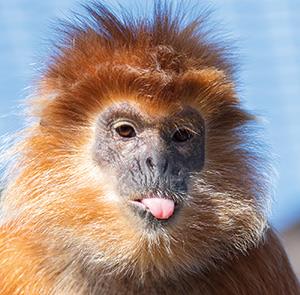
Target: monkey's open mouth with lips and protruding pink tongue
x=155 y=208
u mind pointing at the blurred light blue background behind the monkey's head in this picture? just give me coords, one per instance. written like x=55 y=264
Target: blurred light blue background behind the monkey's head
x=269 y=46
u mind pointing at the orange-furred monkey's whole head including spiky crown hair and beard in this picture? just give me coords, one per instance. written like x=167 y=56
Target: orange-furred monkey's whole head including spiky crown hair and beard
x=142 y=158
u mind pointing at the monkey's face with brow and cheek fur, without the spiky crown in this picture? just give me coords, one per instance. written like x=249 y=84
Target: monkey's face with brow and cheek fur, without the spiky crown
x=150 y=176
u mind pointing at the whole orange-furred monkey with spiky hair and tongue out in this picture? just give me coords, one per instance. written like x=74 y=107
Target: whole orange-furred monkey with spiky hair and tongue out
x=140 y=171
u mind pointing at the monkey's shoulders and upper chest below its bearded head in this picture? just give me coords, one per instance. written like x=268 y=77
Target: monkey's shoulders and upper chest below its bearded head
x=263 y=270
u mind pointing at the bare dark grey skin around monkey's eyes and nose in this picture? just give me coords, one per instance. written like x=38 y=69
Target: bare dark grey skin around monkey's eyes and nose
x=150 y=156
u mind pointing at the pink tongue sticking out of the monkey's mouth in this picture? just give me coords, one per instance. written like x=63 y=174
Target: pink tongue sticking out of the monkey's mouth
x=159 y=208
